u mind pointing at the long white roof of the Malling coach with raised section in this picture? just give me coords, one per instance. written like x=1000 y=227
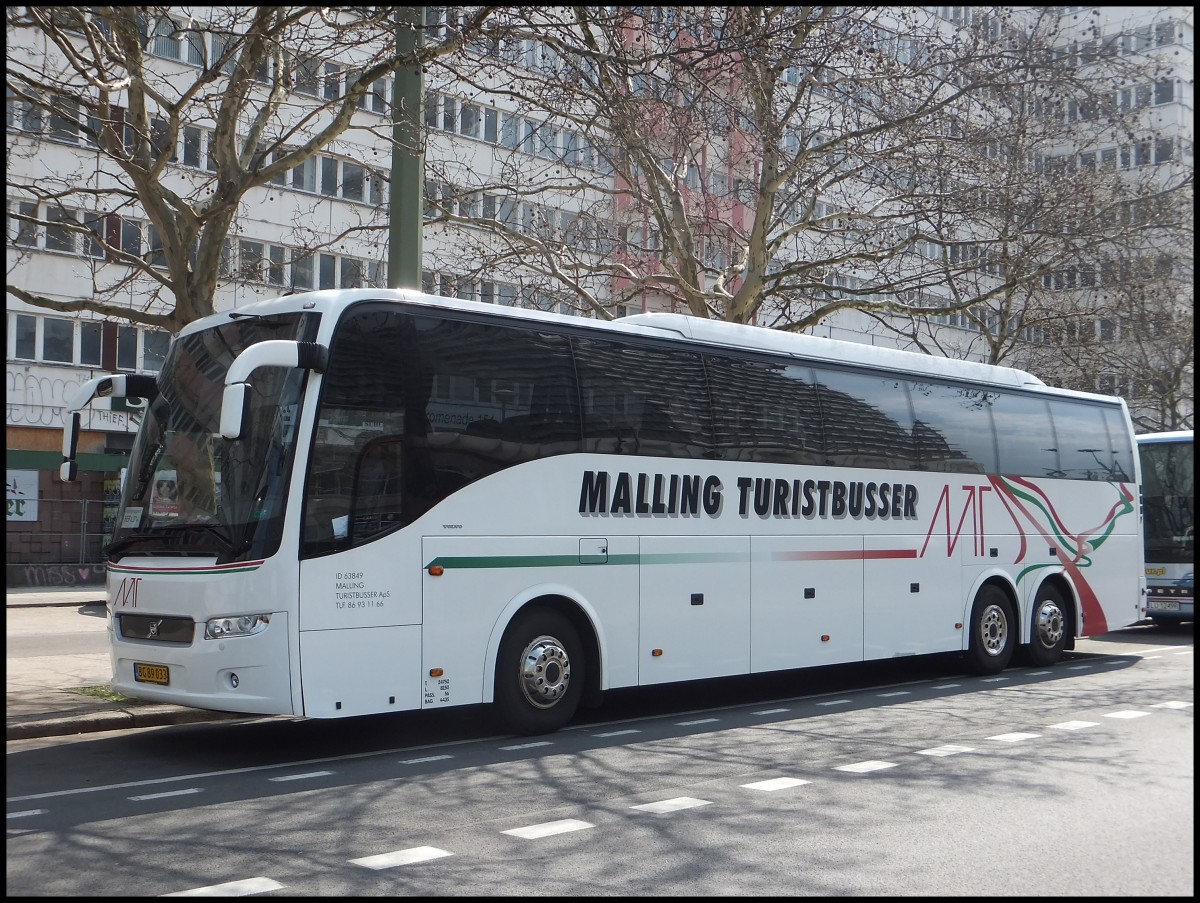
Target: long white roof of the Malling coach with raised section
x=706 y=332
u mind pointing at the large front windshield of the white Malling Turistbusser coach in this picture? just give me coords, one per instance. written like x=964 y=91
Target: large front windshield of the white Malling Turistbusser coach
x=189 y=492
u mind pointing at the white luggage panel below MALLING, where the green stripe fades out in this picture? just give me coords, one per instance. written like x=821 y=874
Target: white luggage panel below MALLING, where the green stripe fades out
x=695 y=608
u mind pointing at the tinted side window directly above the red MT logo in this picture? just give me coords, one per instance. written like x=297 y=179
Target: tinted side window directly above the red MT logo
x=953 y=428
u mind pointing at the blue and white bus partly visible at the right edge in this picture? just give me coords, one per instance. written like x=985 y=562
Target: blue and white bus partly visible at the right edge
x=1168 y=498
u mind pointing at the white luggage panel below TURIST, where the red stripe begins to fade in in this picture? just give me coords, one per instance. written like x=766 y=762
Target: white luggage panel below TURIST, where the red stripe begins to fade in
x=806 y=602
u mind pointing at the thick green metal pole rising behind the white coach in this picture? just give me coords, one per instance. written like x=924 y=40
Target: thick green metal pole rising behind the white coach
x=407 y=157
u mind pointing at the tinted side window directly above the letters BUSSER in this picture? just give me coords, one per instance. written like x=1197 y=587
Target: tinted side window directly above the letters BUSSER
x=868 y=421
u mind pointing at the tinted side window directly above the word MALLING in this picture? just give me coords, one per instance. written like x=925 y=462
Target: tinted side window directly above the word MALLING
x=643 y=400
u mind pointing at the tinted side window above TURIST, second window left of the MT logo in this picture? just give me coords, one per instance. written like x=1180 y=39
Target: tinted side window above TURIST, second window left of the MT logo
x=765 y=411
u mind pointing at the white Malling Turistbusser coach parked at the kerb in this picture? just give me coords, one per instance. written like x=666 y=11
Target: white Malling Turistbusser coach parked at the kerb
x=368 y=501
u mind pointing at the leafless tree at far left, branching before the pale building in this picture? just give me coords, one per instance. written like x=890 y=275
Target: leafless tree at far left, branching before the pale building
x=271 y=87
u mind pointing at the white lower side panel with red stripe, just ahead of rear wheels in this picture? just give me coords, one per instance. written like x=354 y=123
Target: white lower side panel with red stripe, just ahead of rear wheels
x=913 y=602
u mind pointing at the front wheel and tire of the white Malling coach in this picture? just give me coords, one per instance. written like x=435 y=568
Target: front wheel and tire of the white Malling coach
x=539 y=673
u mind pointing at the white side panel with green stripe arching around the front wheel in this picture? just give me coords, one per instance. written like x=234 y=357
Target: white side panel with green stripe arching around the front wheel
x=485 y=581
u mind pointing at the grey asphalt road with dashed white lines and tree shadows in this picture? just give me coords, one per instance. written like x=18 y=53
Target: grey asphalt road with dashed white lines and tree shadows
x=1073 y=781
